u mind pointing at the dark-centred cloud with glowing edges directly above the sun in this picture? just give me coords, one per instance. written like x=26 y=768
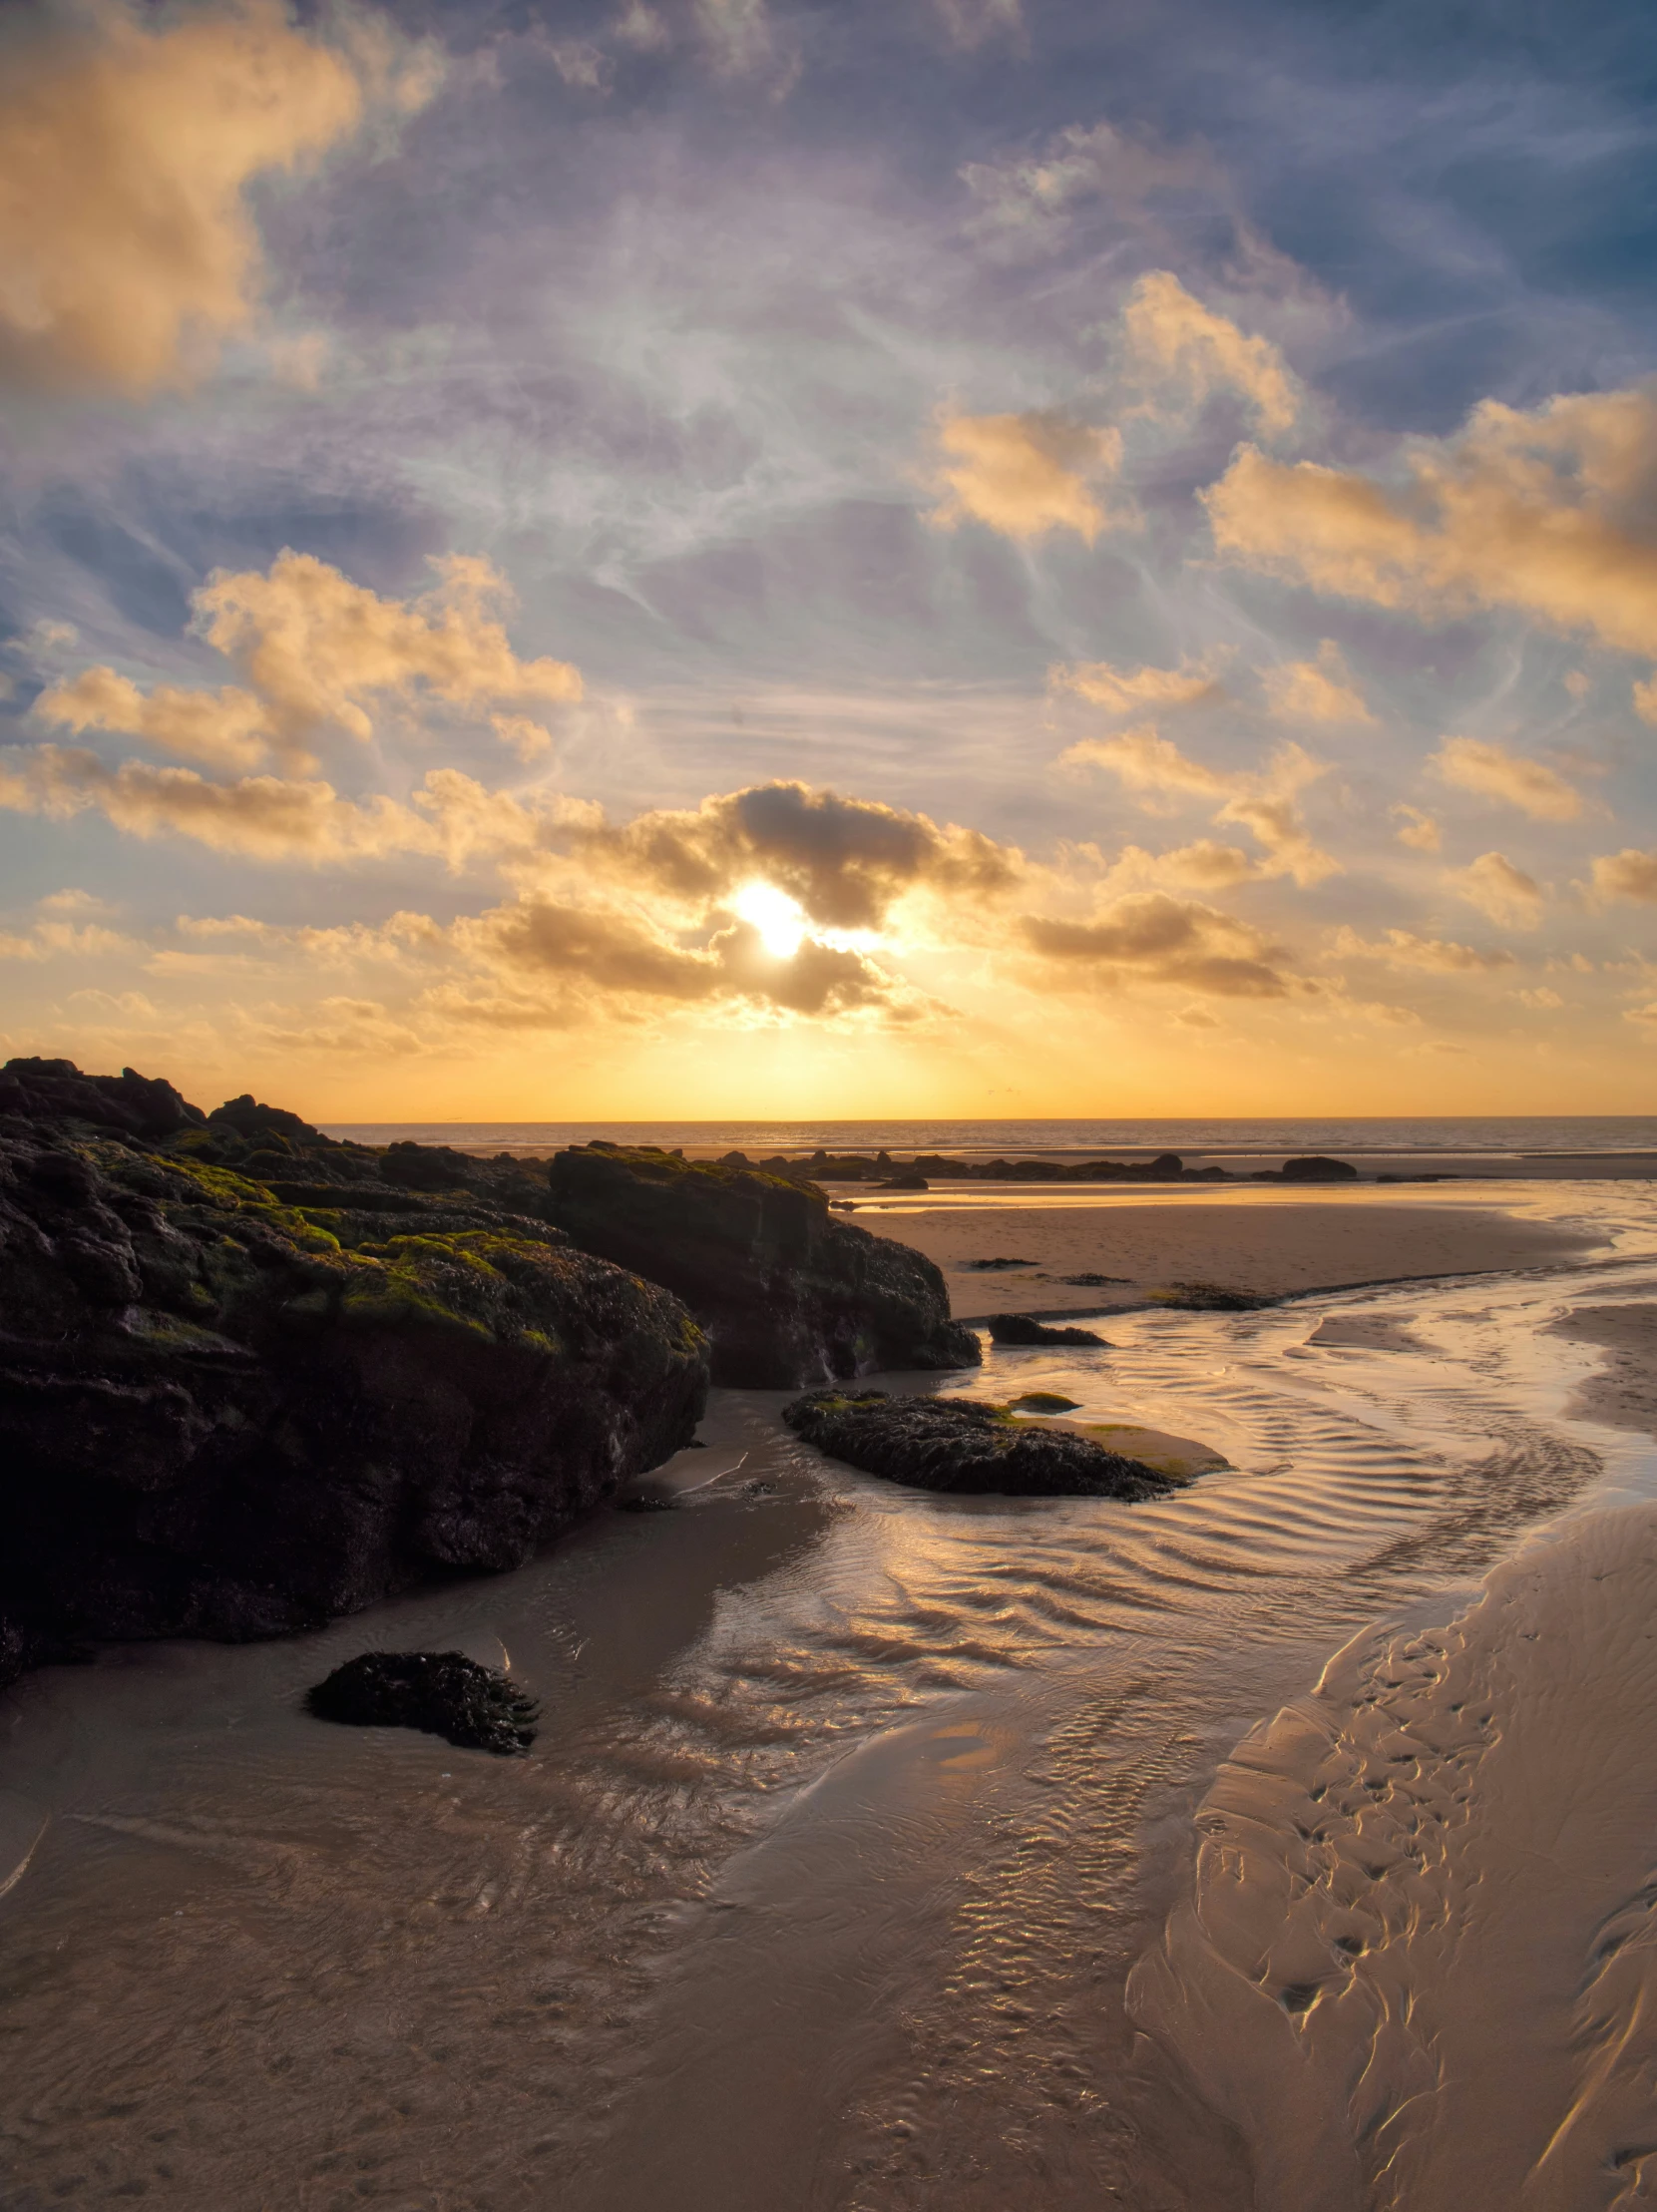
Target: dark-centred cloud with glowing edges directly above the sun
x=848 y=862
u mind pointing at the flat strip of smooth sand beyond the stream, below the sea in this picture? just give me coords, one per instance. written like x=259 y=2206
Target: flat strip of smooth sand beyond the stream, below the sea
x=1267 y=1242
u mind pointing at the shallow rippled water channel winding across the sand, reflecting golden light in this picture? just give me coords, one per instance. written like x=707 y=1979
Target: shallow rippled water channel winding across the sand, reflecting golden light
x=851 y=1813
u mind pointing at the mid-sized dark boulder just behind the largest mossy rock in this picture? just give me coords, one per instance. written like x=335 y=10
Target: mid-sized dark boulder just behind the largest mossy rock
x=786 y=1293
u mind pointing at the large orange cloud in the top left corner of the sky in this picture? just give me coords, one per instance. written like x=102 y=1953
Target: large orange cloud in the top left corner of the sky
x=127 y=145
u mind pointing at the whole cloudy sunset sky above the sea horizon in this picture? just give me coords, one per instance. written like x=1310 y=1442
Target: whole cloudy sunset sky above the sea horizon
x=846 y=559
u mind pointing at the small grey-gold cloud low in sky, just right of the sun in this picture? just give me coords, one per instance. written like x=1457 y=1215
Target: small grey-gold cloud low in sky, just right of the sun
x=1154 y=939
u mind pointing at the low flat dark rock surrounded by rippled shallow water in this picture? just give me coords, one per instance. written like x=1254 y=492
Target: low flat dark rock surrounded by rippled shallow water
x=966 y=1446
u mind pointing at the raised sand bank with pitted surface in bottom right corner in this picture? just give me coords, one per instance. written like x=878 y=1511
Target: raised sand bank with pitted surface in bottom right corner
x=1419 y=1963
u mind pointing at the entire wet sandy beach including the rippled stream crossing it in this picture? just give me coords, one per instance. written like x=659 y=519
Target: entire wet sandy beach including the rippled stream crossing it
x=888 y=1850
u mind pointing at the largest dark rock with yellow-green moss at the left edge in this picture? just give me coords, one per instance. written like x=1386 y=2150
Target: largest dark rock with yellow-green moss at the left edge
x=231 y=1415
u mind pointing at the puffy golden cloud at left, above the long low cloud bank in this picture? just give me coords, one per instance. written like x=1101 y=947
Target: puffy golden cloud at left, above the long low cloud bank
x=317 y=651
